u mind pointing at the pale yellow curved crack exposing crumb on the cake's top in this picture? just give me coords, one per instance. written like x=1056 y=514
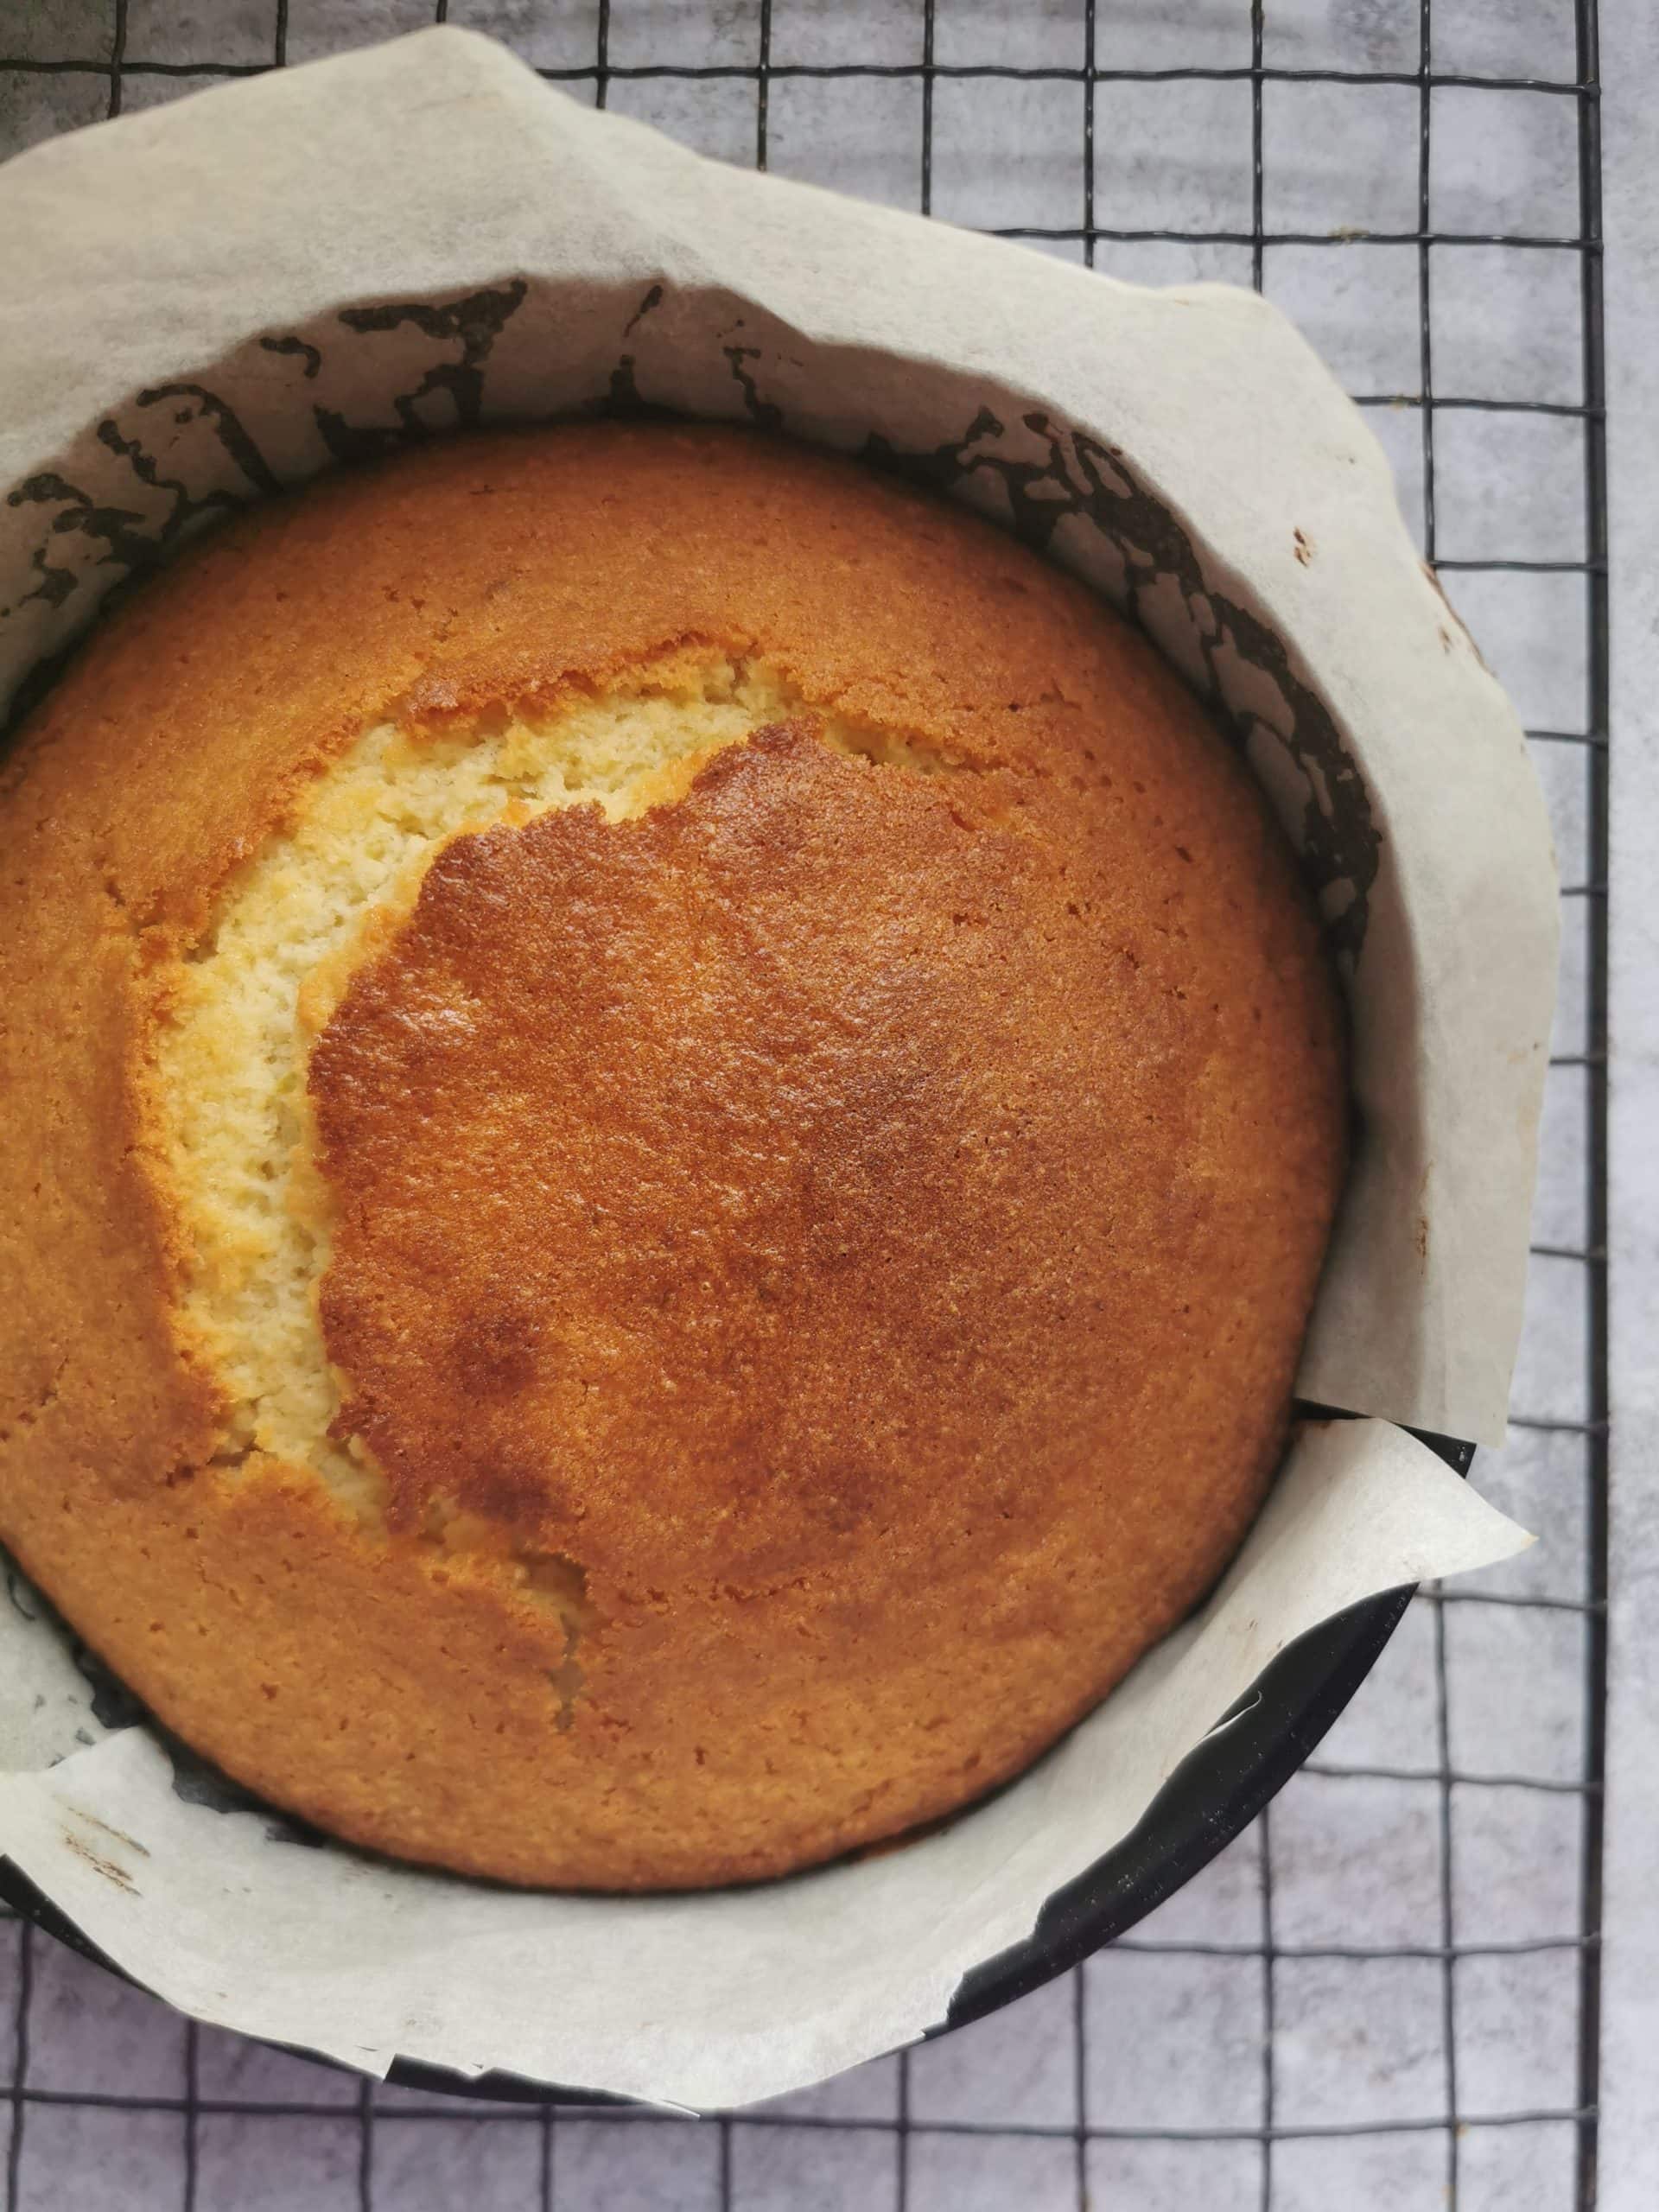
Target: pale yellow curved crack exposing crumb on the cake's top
x=258 y=992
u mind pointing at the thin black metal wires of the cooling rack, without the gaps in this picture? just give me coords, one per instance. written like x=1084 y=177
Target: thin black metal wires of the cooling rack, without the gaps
x=1446 y=1952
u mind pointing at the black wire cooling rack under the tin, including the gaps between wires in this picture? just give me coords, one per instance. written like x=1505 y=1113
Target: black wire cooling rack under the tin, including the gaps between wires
x=1388 y=1992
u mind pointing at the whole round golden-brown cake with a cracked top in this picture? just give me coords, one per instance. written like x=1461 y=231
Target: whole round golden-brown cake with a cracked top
x=671 y=1120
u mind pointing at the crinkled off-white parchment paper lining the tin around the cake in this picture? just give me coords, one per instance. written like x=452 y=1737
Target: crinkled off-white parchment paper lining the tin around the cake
x=222 y=298
